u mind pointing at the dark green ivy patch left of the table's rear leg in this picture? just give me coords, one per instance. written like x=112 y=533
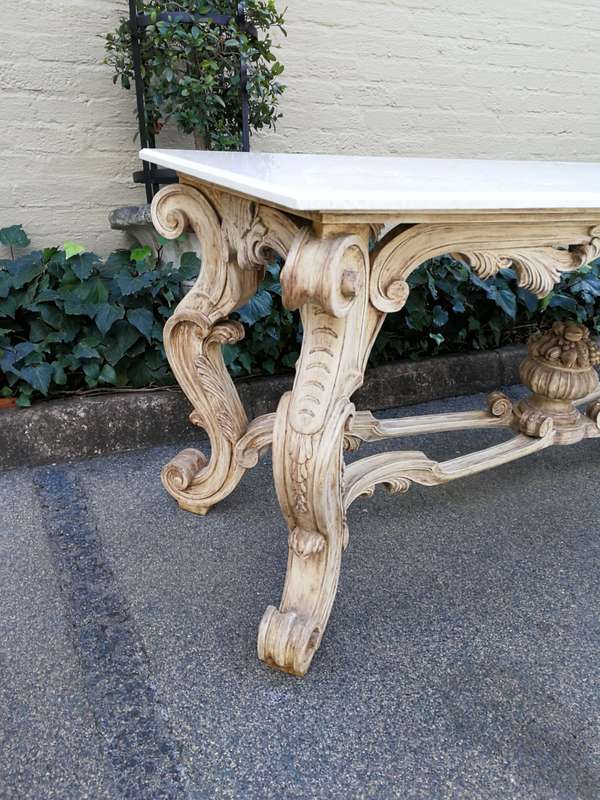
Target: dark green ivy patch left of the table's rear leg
x=69 y=320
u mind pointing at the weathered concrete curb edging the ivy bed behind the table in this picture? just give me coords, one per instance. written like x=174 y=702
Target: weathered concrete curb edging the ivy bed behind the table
x=70 y=429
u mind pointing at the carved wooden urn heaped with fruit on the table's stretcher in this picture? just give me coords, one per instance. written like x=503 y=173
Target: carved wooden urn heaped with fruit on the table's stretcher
x=559 y=370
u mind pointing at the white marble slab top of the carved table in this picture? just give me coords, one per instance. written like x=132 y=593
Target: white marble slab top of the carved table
x=371 y=183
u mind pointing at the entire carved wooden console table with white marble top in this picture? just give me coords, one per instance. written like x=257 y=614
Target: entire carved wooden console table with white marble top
x=320 y=214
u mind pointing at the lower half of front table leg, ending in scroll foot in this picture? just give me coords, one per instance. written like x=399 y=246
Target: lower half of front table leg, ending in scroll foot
x=308 y=472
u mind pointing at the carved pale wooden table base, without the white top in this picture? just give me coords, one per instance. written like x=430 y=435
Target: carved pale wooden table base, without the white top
x=344 y=290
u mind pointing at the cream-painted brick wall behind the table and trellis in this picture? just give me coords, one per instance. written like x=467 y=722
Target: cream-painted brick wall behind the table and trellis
x=469 y=78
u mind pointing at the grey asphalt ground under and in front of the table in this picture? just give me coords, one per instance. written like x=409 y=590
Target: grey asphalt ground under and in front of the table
x=462 y=659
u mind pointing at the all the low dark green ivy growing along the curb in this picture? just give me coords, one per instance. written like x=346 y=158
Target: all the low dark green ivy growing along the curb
x=71 y=321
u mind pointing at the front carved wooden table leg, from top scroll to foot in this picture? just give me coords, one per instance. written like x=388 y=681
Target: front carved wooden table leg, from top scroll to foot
x=327 y=278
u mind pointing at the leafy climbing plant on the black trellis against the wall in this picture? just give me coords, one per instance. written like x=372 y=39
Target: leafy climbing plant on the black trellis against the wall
x=191 y=72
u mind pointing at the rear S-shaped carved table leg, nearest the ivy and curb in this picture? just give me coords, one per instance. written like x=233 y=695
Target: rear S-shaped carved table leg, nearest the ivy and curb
x=237 y=238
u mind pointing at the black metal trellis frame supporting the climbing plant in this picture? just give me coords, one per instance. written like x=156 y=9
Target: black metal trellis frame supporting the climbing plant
x=152 y=176
